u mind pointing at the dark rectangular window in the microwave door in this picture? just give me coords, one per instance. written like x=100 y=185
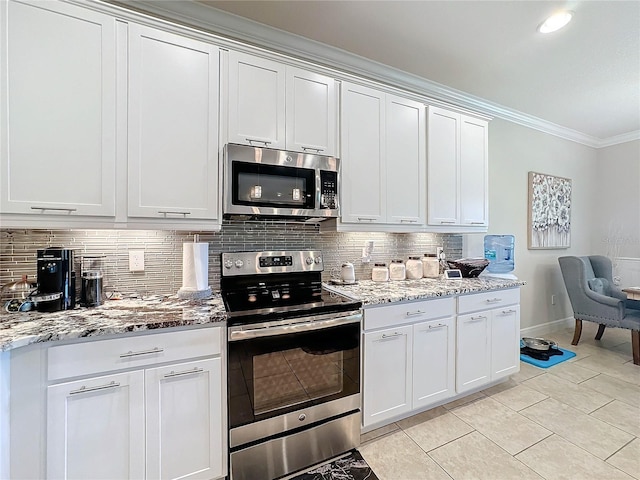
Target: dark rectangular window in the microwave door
x=256 y=184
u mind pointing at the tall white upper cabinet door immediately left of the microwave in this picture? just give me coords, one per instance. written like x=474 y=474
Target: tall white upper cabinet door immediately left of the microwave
x=173 y=126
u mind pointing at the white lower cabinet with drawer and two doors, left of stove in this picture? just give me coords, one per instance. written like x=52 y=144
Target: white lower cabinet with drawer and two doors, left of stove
x=161 y=422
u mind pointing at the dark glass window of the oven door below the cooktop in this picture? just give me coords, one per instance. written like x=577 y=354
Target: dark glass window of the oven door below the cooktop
x=270 y=376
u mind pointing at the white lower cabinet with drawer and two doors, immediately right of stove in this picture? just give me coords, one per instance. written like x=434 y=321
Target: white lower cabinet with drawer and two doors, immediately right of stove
x=410 y=363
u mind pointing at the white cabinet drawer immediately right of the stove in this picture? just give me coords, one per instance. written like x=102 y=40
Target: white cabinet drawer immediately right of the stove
x=408 y=312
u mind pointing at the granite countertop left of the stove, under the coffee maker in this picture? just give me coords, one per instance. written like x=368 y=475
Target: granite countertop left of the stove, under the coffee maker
x=113 y=317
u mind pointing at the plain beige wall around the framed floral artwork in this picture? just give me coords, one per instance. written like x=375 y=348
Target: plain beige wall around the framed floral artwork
x=514 y=151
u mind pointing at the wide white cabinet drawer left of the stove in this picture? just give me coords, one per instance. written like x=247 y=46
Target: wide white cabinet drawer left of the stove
x=99 y=356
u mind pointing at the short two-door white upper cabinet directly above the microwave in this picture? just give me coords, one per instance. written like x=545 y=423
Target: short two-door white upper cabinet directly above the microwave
x=277 y=106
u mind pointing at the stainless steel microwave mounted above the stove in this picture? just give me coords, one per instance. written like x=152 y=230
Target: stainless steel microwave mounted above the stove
x=266 y=182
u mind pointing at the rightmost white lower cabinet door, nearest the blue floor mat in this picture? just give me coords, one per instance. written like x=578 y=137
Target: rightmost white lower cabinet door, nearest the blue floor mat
x=505 y=341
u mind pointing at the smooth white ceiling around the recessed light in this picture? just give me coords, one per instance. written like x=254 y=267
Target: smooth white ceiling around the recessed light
x=585 y=77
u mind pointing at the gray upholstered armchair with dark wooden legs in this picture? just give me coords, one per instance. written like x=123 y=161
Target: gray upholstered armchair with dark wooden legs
x=595 y=298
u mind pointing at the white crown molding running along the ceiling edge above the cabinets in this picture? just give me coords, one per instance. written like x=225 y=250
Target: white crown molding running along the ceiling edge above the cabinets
x=211 y=20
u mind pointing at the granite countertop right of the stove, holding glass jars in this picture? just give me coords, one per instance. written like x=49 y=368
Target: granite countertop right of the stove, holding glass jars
x=375 y=293
